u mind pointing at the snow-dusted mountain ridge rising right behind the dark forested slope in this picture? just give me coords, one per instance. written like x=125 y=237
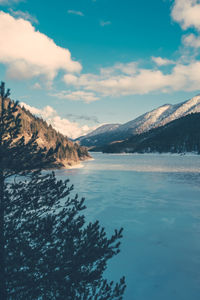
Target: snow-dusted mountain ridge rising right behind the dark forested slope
x=153 y=119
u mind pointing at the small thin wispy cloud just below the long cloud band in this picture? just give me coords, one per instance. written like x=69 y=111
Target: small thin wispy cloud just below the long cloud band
x=77 y=96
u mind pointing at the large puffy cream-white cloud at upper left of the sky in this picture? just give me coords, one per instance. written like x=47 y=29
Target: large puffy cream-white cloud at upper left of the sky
x=27 y=53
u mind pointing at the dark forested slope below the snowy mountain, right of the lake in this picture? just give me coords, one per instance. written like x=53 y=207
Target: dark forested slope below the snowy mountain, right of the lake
x=179 y=136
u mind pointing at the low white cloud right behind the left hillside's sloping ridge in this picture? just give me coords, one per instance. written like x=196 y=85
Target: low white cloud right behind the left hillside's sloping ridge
x=62 y=125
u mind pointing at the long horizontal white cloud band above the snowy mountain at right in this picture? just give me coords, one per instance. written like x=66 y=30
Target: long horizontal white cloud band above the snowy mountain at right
x=185 y=77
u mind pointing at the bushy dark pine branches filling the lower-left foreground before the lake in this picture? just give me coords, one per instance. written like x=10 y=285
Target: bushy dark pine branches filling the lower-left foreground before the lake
x=51 y=252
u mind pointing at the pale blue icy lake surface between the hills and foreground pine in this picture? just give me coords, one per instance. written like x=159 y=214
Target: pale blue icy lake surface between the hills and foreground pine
x=156 y=199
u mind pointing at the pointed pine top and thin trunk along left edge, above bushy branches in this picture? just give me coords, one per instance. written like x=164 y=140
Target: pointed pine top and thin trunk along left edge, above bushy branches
x=16 y=157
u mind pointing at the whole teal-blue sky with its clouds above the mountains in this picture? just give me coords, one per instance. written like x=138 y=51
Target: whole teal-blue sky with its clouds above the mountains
x=82 y=63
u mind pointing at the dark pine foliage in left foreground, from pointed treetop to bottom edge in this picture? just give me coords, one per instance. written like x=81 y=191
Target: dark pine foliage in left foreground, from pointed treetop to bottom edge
x=47 y=250
